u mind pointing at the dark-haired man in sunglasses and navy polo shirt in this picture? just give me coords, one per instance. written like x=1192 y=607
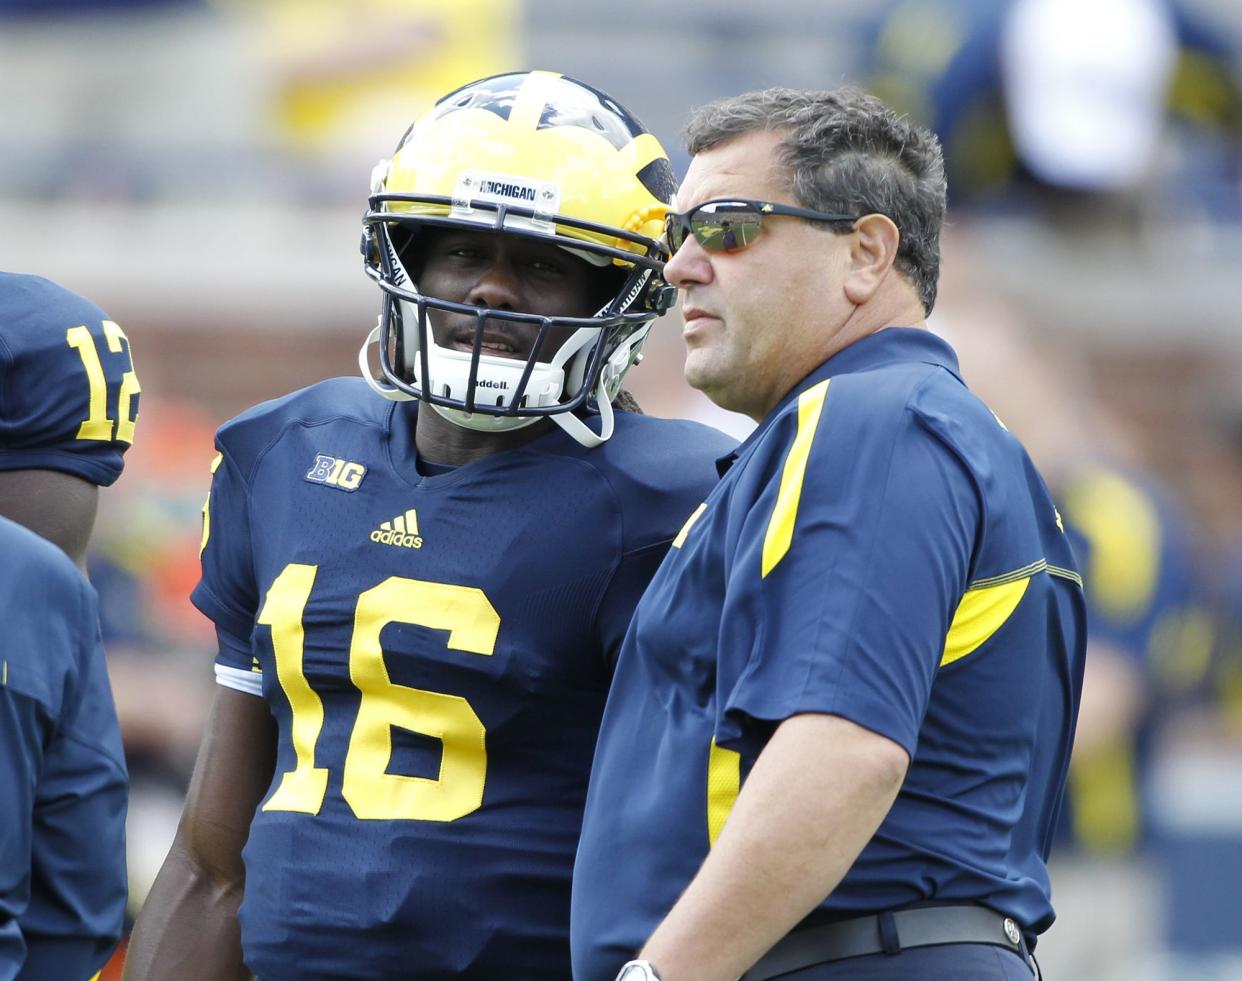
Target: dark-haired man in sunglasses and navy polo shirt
x=840 y=726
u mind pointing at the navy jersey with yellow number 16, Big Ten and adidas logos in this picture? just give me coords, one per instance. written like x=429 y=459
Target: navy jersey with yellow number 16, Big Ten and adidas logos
x=437 y=654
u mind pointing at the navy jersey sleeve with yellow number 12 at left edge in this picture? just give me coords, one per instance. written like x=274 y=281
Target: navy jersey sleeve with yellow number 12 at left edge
x=69 y=394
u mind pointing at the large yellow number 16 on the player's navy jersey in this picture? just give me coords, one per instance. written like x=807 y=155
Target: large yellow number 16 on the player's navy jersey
x=372 y=793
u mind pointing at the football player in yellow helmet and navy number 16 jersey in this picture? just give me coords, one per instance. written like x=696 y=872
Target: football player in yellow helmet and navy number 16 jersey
x=419 y=594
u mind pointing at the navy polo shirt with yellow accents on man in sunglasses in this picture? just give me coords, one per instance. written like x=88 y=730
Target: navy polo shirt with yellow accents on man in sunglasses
x=884 y=551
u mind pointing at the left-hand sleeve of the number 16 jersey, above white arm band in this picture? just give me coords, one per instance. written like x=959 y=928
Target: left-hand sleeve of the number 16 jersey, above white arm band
x=228 y=593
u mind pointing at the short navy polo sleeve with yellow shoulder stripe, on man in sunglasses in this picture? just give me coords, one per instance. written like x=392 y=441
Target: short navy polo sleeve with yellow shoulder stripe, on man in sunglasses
x=854 y=559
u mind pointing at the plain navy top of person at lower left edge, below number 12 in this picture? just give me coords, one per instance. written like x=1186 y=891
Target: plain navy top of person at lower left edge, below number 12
x=63 y=775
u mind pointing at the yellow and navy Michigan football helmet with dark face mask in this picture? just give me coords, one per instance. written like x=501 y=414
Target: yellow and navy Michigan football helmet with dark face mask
x=540 y=156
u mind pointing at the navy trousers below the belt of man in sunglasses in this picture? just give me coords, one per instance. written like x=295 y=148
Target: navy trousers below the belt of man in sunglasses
x=947 y=963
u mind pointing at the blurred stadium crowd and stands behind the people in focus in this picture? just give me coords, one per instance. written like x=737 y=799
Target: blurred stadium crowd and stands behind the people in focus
x=199 y=170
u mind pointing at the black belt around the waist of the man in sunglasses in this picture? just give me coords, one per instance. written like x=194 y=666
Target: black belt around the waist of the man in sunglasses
x=889 y=933
